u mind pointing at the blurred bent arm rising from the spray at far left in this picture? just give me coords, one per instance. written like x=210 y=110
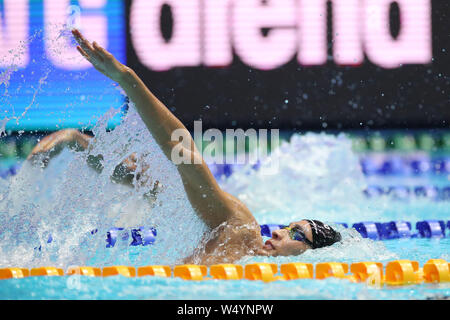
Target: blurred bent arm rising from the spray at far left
x=56 y=141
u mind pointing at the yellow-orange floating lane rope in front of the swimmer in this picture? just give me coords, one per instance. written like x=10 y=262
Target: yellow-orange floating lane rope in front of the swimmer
x=397 y=273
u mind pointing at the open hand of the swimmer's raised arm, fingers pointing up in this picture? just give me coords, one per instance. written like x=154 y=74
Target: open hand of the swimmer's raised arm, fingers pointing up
x=101 y=59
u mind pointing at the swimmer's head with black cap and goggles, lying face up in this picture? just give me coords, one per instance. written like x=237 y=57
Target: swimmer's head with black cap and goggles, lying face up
x=300 y=236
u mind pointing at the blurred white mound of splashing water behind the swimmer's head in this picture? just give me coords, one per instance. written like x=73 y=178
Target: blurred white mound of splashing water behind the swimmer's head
x=319 y=177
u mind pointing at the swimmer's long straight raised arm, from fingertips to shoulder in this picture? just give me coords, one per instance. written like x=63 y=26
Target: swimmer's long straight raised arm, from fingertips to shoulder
x=212 y=204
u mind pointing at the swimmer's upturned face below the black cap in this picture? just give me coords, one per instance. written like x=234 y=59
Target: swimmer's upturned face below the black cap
x=281 y=243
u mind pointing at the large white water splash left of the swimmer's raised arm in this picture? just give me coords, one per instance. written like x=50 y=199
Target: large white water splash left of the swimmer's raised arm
x=68 y=199
